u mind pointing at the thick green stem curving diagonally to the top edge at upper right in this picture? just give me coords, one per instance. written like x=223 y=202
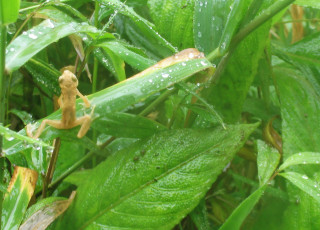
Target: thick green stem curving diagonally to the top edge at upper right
x=250 y=27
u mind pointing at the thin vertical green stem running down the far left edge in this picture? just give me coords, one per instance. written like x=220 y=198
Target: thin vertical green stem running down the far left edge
x=3 y=40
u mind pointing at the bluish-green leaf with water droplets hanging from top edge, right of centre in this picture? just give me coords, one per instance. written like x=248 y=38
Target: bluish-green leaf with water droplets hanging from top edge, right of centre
x=210 y=18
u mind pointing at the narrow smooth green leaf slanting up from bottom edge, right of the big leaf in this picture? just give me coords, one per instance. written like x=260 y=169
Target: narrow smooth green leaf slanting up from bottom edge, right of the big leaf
x=237 y=217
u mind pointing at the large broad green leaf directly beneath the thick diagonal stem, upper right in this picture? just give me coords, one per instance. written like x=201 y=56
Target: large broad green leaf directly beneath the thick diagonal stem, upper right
x=229 y=94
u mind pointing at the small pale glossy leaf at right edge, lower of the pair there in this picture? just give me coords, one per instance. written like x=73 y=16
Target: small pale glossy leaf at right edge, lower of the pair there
x=303 y=182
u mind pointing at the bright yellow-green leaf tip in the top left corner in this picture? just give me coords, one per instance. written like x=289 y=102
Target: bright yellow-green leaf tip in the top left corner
x=9 y=11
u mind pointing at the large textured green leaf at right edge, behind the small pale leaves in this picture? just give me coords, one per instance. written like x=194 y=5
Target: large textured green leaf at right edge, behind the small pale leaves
x=300 y=111
